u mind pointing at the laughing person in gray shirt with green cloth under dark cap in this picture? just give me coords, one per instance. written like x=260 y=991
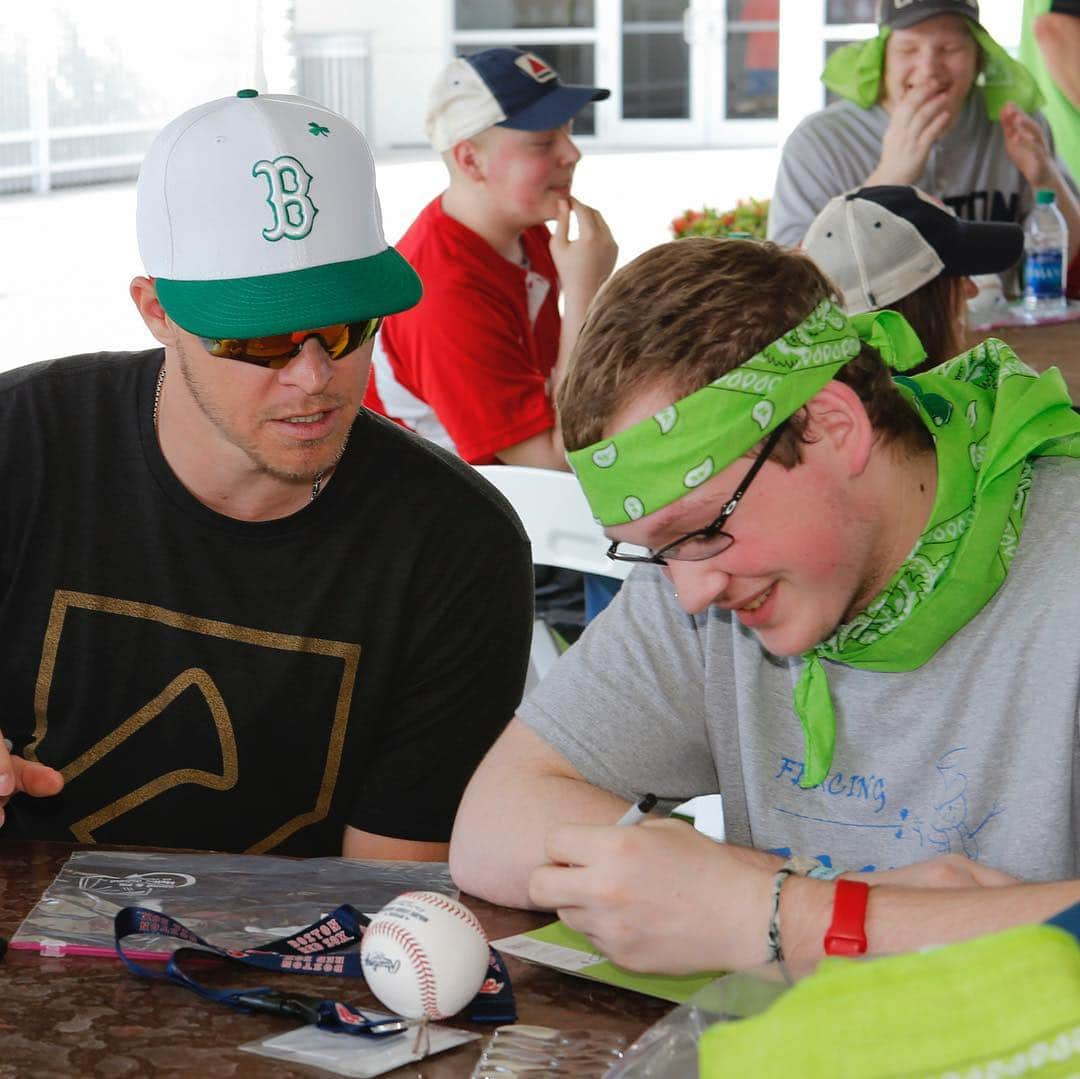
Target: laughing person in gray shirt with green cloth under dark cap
x=933 y=101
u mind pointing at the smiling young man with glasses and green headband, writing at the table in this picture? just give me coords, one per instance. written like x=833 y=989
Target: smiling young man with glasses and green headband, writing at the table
x=858 y=618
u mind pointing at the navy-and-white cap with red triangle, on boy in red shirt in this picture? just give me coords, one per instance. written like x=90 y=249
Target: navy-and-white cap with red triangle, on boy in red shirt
x=504 y=88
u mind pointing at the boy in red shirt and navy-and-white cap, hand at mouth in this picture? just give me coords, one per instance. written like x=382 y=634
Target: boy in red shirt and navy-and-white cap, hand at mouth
x=476 y=366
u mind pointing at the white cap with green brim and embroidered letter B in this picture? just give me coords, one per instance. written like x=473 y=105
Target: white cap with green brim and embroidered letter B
x=259 y=214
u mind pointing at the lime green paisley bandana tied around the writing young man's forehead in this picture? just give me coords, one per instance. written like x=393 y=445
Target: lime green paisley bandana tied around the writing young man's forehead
x=657 y=462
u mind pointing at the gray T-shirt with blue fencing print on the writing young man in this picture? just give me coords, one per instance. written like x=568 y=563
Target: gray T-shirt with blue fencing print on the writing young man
x=975 y=753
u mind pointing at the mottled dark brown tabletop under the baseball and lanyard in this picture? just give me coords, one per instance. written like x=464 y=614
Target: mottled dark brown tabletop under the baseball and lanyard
x=89 y=1017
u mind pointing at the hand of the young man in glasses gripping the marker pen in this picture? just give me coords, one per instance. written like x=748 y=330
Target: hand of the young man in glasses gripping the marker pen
x=659 y=897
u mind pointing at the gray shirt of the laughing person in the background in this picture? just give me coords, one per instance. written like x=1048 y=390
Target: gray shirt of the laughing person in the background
x=836 y=150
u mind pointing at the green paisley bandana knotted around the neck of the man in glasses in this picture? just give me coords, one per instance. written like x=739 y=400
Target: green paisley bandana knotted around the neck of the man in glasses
x=990 y=415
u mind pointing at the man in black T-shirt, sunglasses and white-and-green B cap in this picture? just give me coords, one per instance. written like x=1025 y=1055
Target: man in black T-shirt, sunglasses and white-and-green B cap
x=231 y=597
